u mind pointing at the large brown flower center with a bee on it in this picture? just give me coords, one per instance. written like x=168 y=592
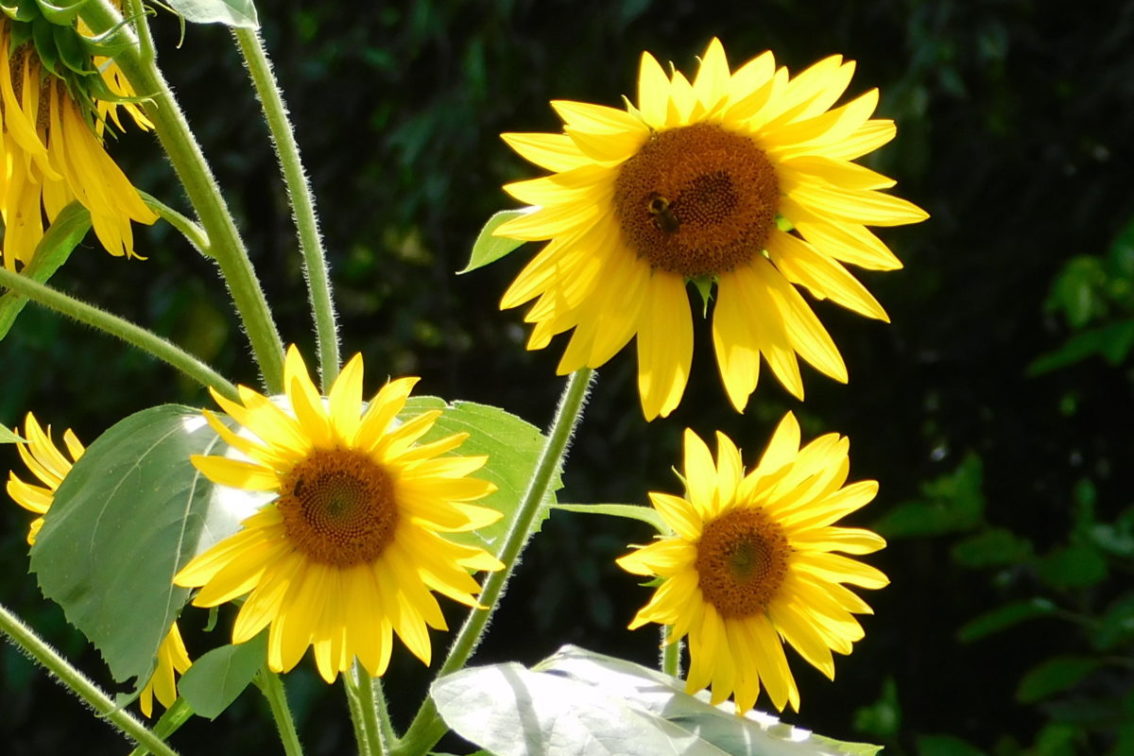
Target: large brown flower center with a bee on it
x=697 y=200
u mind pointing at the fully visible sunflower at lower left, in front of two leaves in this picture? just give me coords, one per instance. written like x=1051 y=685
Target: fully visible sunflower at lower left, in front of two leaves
x=352 y=547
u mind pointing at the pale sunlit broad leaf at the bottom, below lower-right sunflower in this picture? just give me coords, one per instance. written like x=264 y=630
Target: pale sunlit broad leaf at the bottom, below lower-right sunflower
x=579 y=702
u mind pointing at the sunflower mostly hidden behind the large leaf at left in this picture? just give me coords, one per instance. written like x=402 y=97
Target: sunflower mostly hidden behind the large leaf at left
x=50 y=465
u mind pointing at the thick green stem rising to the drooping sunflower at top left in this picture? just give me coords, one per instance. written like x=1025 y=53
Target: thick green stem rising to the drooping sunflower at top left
x=177 y=140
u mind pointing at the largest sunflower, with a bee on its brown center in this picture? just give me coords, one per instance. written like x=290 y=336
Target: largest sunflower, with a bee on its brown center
x=744 y=180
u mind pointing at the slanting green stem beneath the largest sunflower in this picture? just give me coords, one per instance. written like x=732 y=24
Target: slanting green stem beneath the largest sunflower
x=428 y=727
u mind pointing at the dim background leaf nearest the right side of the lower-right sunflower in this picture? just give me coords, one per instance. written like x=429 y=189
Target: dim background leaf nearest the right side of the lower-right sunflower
x=951 y=504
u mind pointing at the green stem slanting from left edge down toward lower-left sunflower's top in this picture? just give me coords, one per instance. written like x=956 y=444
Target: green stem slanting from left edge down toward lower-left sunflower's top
x=115 y=326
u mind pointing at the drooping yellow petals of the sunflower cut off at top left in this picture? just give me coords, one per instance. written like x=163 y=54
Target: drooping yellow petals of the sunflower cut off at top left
x=53 y=154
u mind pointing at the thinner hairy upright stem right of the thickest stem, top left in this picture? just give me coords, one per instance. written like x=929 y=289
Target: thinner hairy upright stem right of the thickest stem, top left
x=303 y=205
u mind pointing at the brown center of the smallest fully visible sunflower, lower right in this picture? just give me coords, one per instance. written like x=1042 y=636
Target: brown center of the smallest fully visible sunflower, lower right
x=742 y=562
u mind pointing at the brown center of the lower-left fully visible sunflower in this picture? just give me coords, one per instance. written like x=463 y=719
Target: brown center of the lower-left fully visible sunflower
x=338 y=507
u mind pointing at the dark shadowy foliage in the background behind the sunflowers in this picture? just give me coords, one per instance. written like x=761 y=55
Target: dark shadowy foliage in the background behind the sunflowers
x=995 y=411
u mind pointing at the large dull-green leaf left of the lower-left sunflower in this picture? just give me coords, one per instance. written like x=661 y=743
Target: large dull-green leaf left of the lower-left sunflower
x=132 y=511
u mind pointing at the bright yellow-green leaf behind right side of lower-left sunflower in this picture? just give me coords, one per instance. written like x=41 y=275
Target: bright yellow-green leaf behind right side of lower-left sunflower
x=513 y=447
